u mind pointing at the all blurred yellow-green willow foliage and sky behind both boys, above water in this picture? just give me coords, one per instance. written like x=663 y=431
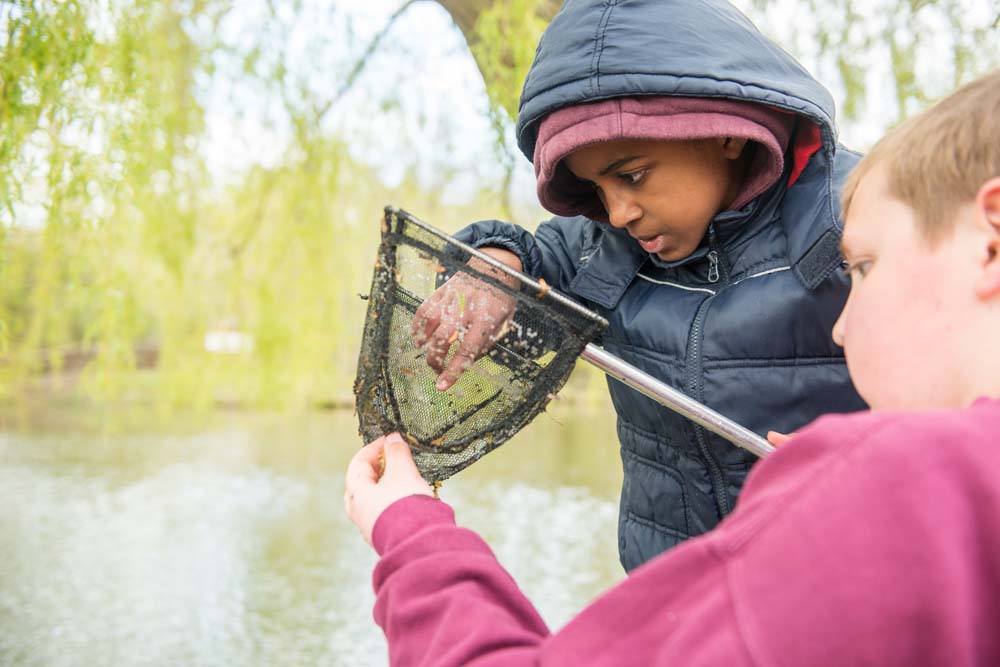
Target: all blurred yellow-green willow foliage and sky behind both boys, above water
x=124 y=250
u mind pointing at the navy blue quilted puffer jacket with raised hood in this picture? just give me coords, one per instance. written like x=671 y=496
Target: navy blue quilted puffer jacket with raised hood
x=743 y=324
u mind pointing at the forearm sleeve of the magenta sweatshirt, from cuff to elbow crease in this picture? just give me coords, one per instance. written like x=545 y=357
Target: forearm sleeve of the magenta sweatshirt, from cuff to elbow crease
x=442 y=597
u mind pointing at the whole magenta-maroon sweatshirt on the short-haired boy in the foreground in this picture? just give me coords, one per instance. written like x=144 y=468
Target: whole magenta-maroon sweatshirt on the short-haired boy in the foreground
x=871 y=539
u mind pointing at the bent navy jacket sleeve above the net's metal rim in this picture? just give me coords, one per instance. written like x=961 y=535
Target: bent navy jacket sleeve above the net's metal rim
x=554 y=252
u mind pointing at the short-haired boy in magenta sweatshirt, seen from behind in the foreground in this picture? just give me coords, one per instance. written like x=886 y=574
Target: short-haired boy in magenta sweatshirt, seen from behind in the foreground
x=868 y=539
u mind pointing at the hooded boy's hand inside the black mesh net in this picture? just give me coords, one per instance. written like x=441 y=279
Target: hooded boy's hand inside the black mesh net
x=465 y=310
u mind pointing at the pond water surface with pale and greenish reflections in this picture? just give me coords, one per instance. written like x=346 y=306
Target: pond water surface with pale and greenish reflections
x=223 y=541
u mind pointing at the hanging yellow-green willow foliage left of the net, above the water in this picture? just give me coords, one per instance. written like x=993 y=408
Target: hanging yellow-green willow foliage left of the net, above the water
x=117 y=239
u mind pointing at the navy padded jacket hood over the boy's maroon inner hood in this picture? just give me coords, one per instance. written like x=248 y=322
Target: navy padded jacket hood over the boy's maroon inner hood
x=600 y=49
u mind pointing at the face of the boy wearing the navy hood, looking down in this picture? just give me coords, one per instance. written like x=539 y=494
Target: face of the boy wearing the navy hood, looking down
x=664 y=193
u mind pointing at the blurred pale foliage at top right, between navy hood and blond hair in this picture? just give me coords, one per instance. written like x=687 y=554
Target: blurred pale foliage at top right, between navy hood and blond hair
x=923 y=48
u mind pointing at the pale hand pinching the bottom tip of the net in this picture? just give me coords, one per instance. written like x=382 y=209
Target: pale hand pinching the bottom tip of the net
x=373 y=483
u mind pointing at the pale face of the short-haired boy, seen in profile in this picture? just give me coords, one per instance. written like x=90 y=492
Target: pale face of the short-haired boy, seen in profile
x=910 y=303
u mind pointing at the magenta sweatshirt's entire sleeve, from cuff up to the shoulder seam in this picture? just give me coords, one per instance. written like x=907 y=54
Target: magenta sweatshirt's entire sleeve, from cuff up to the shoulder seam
x=443 y=599
